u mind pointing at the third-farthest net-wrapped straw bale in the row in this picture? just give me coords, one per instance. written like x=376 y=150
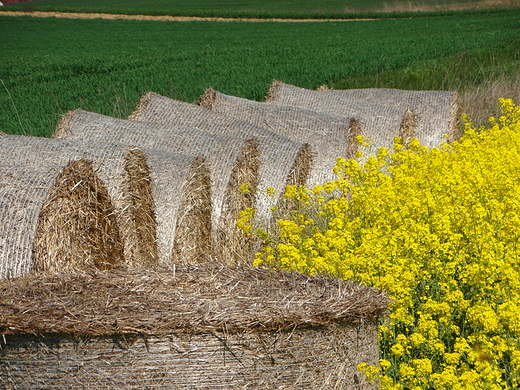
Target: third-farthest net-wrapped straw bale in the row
x=329 y=135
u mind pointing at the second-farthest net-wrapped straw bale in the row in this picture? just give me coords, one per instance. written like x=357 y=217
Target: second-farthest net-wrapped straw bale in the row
x=376 y=121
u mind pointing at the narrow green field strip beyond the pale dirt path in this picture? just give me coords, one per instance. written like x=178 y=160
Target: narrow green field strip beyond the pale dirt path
x=262 y=8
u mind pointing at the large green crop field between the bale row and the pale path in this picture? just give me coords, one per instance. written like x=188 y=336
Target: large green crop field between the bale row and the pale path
x=50 y=66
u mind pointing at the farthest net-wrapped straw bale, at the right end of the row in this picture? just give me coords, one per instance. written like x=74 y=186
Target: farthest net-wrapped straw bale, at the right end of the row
x=438 y=112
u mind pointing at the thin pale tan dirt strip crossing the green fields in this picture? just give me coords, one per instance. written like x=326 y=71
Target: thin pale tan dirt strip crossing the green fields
x=77 y=15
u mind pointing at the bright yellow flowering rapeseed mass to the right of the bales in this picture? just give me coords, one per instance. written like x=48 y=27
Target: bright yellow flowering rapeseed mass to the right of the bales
x=439 y=229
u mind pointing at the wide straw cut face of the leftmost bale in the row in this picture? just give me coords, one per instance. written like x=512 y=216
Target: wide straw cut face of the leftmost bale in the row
x=77 y=228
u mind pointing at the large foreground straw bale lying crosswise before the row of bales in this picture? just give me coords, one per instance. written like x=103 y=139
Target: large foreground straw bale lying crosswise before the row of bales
x=199 y=327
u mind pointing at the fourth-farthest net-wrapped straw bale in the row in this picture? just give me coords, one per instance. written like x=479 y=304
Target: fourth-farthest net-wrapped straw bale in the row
x=282 y=161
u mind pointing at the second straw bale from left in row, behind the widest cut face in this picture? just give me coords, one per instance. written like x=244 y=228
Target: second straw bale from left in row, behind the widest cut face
x=124 y=172
